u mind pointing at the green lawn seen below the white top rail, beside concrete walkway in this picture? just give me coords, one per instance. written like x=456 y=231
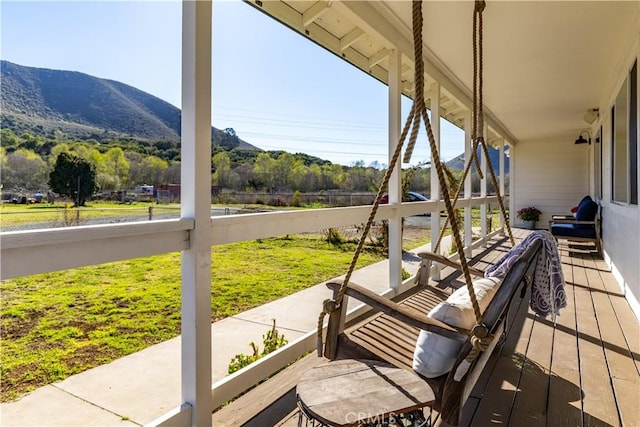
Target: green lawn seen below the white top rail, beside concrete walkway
x=58 y=324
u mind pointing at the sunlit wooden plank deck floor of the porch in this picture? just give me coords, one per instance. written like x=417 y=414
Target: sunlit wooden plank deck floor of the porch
x=584 y=370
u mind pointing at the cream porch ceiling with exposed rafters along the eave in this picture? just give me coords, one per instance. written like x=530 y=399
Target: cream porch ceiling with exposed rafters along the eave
x=545 y=62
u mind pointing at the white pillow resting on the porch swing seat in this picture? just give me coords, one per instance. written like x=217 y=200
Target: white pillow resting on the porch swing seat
x=434 y=354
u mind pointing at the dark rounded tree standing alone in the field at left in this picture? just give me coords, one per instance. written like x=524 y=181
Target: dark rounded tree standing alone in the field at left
x=74 y=177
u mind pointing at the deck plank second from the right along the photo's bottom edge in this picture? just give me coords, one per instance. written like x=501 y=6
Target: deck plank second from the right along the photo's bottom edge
x=598 y=402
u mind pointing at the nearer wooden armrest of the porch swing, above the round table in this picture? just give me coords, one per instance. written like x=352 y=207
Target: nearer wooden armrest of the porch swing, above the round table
x=404 y=314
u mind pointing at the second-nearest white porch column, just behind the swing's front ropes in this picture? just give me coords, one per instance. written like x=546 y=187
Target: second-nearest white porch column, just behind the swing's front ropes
x=395 y=190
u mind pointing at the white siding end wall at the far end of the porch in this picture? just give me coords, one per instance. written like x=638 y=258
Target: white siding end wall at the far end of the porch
x=551 y=175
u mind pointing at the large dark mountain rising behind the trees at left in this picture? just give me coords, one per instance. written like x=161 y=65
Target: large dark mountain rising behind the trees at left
x=44 y=102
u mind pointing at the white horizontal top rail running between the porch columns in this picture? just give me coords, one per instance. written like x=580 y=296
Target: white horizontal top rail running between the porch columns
x=30 y=252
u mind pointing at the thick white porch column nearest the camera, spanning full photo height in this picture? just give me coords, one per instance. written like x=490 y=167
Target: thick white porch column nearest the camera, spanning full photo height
x=196 y=203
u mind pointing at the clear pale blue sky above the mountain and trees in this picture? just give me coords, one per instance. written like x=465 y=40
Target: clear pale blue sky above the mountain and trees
x=278 y=90
